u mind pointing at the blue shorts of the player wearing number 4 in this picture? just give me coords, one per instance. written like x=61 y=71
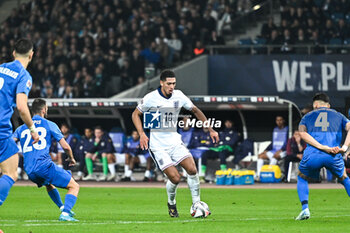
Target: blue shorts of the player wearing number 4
x=310 y=165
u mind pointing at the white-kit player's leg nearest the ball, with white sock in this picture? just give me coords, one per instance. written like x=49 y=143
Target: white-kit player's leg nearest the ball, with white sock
x=192 y=178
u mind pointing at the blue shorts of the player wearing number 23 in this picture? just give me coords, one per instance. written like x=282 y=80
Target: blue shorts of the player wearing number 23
x=50 y=173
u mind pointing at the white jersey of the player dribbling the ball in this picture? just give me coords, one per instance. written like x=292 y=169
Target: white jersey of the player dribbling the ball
x=170 y=109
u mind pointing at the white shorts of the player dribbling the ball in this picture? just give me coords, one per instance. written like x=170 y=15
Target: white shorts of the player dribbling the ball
x=170 y=157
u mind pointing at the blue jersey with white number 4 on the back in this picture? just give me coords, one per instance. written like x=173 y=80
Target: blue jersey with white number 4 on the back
x=326 y=126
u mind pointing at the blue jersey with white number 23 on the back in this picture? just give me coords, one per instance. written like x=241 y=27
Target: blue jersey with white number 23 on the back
x=38 y=152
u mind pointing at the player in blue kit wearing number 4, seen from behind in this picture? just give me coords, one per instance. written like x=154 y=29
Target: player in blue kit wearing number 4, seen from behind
x=322 y=130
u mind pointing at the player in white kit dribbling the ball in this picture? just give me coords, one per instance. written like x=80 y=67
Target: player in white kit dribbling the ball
x=166 y=146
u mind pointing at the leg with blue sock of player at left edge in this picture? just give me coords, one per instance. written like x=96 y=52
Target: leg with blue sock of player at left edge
x=9 y=176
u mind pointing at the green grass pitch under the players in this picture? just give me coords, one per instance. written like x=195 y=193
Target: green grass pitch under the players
x=29 y=209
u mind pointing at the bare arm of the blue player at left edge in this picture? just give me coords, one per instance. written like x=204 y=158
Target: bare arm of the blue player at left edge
x=21 y=102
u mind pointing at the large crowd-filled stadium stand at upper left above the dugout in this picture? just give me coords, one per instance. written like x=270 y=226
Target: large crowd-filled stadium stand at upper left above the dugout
x=82 y=47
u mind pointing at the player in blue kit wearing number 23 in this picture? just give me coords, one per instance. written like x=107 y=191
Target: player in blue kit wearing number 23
x=38 y=164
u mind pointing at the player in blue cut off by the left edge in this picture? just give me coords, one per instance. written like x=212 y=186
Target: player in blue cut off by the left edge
x=15 y=84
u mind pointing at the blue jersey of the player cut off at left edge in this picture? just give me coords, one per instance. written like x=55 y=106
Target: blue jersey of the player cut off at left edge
x=14 y=79
